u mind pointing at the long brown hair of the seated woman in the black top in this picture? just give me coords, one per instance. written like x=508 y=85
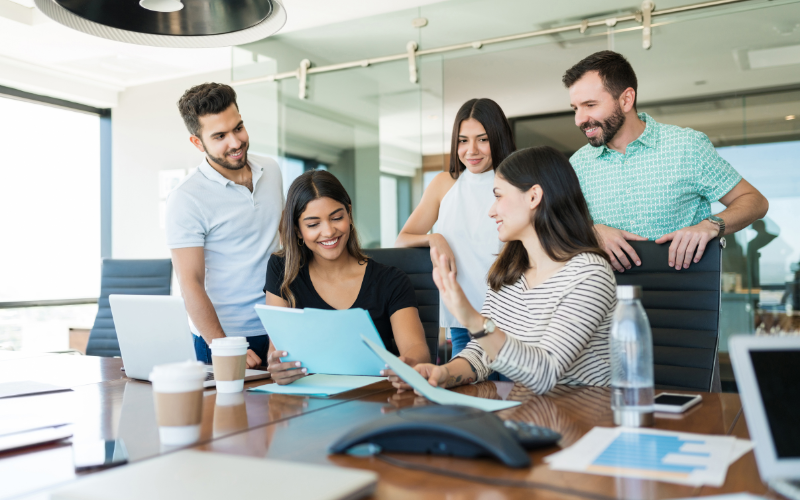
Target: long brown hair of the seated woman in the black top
x=310 y=186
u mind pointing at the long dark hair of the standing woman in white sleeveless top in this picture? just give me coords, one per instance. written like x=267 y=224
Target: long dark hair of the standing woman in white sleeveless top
x=498 y=130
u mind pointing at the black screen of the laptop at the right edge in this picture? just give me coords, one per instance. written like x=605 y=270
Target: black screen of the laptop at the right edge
x=777 y=375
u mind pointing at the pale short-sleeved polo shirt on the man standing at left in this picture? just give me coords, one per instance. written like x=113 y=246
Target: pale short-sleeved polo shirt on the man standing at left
x=238 y=231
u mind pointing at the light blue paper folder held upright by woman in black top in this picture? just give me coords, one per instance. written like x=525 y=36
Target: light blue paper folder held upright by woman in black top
x=325 y=341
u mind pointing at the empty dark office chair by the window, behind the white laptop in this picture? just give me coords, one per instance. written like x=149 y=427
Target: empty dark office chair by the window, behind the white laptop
x=129 y=277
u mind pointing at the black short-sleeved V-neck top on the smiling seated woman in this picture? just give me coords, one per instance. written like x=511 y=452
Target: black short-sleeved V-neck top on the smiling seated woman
x=384 y=291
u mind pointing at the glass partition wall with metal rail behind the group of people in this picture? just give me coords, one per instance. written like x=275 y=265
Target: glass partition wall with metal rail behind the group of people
x=731 y=71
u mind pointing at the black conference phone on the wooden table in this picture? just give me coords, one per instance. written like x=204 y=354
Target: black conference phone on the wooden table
x=450 y=430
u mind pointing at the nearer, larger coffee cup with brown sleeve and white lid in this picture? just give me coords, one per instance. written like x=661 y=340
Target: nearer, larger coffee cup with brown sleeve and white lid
x=178 y=393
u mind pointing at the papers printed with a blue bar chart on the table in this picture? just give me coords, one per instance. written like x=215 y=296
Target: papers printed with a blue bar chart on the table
x=673 y=457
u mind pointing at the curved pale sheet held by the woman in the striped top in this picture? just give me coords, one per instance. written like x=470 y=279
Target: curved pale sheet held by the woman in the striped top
x=435 y=394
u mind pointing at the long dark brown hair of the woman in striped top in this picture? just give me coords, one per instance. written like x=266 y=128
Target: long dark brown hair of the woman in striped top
x=561 y=221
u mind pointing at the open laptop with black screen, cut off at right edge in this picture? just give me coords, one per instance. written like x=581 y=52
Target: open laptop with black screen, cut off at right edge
x=767 y=373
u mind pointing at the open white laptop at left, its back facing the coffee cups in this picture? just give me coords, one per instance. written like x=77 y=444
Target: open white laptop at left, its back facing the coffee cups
x=154 y=330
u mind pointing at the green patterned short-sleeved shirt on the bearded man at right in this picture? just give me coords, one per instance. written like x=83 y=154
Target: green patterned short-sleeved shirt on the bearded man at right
x=665 y=181
